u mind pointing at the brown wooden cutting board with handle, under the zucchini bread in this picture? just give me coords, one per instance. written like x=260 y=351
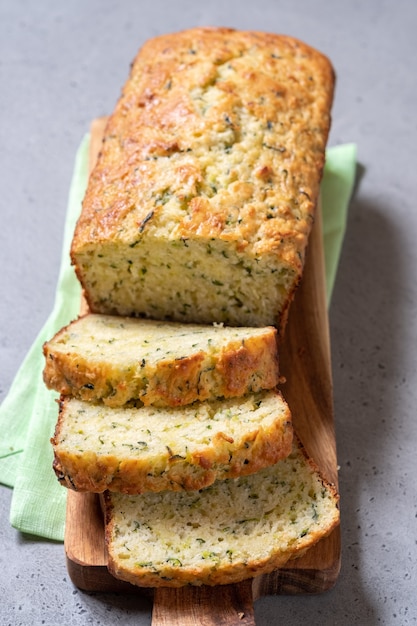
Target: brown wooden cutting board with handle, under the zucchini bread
x=305 y=362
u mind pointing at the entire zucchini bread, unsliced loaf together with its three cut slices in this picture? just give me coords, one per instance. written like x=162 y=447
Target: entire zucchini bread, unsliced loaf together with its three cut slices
x=189 y=248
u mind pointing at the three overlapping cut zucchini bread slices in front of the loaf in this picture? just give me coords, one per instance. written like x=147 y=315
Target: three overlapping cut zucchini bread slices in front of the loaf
x=208 y=486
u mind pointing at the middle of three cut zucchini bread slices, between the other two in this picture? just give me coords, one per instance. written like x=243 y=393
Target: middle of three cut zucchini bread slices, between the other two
x=132 y=450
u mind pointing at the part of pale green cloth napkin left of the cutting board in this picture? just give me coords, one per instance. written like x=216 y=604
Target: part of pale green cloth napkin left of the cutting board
x=29 y=411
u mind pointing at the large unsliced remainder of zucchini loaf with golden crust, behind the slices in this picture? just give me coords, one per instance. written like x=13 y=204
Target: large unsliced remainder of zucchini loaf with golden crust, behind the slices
x=201 y=204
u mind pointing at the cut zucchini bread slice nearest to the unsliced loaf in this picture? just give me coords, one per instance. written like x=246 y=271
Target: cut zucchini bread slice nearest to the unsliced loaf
x=118 y=360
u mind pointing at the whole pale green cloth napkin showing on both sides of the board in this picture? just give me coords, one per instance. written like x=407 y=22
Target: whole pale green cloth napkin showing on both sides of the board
x=29 y=411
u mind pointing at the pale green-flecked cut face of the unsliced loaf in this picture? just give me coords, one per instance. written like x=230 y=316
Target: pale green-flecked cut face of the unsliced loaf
x=192 y=282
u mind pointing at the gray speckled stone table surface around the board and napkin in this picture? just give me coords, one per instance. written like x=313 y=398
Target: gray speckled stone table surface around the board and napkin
x=62 y=64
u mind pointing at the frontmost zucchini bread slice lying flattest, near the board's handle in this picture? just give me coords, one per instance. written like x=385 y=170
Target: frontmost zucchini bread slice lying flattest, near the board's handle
x=233 y=530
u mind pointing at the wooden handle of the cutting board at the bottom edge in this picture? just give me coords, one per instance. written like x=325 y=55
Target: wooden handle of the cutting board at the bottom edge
x=224 y=605
